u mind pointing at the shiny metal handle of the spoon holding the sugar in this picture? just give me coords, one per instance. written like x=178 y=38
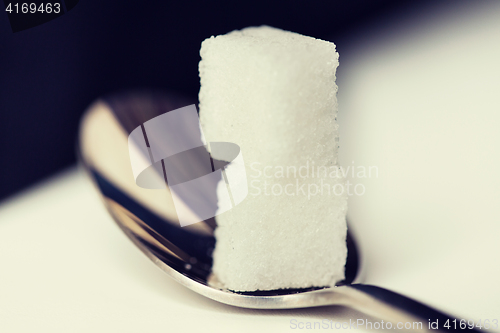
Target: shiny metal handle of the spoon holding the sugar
x=385 y=304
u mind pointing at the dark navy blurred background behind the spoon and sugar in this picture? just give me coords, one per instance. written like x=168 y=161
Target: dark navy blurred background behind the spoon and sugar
x=50 y=73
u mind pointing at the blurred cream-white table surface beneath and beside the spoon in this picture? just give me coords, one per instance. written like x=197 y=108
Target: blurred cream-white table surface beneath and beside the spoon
x=420 y=103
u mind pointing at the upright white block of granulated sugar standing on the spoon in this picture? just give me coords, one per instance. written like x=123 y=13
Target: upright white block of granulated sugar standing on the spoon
x=273 y=93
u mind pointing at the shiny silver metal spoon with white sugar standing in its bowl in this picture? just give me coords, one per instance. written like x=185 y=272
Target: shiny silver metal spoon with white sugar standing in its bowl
x=148 y=218
